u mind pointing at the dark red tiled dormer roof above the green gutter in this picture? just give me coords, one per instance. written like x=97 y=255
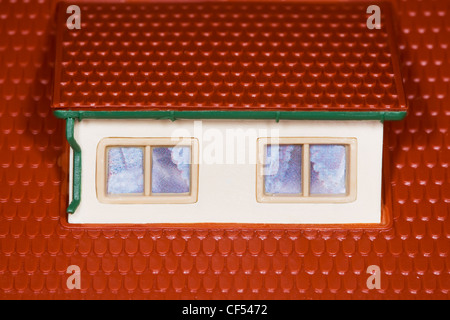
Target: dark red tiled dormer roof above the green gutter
x=228 y=56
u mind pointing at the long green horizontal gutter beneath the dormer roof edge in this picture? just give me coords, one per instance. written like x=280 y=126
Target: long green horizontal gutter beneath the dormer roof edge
x=275 y=115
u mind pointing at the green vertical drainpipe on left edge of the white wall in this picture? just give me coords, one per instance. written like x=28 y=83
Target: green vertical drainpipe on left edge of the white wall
x=76 y=190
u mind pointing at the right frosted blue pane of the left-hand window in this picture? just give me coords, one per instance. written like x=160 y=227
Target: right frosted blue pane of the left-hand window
x=171 y=169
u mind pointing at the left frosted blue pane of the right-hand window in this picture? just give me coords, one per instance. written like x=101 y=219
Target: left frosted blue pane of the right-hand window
x=283 y=169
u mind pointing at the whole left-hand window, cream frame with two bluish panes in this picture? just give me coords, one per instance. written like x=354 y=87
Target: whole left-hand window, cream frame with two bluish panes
x=147 y=170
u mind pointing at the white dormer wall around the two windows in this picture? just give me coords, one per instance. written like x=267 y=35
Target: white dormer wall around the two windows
x=227 y=188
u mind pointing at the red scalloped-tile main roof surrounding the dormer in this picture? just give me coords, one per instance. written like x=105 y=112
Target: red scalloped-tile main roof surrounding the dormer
x=35 y=249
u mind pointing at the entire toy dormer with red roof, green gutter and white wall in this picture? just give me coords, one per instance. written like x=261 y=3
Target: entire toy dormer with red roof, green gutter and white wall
x=227 y=113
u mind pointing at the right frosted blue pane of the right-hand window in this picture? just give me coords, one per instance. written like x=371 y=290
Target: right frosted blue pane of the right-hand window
x=328 y=169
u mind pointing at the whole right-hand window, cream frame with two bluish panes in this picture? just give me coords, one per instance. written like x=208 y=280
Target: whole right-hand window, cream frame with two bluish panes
x=306 y=170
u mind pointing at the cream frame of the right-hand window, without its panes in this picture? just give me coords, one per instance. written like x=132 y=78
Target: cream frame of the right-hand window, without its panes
x=305 y=196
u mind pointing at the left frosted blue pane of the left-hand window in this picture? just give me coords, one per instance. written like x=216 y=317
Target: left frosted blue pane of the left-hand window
x=125 y=170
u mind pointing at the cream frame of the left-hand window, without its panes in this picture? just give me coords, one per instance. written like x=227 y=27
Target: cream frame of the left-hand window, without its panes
x=147 y=144
